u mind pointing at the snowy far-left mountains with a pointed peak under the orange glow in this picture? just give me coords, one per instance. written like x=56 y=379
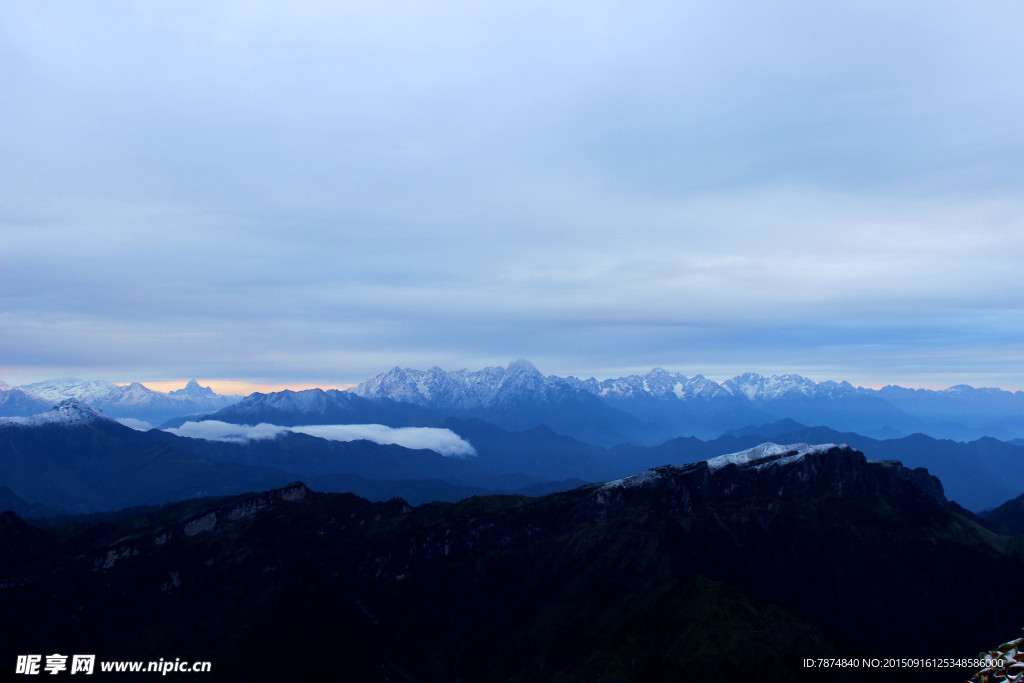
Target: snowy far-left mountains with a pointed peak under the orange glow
x=136 y=401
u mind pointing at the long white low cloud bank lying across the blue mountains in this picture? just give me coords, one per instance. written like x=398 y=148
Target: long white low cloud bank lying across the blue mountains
x=445 y=442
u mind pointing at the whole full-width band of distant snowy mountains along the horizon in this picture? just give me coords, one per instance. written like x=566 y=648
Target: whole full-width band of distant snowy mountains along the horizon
x=641 y=409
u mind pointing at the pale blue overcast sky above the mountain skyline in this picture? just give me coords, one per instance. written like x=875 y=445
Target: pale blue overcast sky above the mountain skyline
x=314 y=193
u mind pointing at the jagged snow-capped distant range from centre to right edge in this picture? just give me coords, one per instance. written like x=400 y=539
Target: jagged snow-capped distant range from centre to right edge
x=664 y=404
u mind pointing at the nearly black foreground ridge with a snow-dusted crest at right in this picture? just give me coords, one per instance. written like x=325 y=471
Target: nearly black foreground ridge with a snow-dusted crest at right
x=737 y=569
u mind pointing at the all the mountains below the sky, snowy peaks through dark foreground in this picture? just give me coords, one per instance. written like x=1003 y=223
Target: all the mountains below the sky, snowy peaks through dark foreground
x=648 y=529
